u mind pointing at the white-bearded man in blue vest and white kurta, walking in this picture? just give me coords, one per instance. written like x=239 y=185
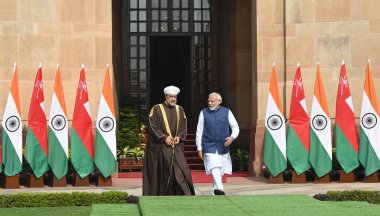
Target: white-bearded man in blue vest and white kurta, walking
x=217 y=129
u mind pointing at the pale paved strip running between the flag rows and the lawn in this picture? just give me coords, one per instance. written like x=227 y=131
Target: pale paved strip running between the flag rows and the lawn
x=234 y=186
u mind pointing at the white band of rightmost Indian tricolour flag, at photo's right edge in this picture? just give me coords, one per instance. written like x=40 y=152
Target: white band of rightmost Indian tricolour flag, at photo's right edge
x=373 y=134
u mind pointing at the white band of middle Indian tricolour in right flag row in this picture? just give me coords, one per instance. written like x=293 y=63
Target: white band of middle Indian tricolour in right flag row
x=323 y=135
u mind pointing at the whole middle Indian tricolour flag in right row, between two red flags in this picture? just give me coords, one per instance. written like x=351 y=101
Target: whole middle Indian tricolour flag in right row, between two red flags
x=320 y=134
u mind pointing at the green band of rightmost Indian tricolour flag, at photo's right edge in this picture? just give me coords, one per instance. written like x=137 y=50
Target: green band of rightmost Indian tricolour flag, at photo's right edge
x=367 y=155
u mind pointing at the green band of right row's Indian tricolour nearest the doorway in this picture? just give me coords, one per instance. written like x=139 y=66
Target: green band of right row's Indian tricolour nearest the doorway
x=273 y=157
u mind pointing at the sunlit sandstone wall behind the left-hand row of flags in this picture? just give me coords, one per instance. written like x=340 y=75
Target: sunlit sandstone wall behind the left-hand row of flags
x=65 y=32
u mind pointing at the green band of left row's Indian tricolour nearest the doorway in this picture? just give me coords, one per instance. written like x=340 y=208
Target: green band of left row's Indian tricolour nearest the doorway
x=104 y=158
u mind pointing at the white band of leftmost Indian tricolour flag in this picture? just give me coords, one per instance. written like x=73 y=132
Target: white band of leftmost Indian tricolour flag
x=16 y=136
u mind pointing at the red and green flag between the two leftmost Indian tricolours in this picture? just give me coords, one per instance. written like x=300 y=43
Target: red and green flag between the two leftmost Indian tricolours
x=37 y=137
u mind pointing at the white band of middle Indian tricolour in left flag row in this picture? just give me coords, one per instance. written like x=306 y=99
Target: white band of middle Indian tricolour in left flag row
x=62 y=135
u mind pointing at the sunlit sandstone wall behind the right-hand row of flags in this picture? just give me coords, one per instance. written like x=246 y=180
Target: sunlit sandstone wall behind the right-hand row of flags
x=312 y=31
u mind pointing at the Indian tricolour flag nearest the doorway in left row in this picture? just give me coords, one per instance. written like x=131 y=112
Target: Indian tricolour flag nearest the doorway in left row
x=105 y=139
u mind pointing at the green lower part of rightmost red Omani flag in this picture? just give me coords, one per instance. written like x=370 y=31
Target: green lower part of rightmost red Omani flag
x=346 y=155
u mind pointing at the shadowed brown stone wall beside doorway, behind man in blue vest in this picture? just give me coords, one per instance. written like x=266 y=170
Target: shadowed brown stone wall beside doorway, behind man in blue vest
x=234 y=42
